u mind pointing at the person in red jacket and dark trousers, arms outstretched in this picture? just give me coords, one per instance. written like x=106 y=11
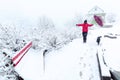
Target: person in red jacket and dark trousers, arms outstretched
x=84 y=26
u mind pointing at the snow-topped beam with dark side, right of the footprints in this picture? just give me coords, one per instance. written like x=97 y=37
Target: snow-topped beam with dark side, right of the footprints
x=104 y=70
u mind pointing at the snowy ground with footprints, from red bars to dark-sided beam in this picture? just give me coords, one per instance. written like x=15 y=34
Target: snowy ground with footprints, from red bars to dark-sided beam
x=75 y=61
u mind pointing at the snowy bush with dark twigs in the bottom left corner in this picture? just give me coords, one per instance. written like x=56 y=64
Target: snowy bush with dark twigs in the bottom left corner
x=7 y=71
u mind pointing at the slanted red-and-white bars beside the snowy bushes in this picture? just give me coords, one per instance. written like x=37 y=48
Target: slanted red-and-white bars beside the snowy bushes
x=16 y=59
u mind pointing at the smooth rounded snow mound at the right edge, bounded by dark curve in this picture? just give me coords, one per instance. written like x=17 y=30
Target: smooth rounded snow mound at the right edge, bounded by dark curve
x=111 y=53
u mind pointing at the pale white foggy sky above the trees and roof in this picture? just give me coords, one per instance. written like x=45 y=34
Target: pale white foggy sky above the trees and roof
x=56 y=9
